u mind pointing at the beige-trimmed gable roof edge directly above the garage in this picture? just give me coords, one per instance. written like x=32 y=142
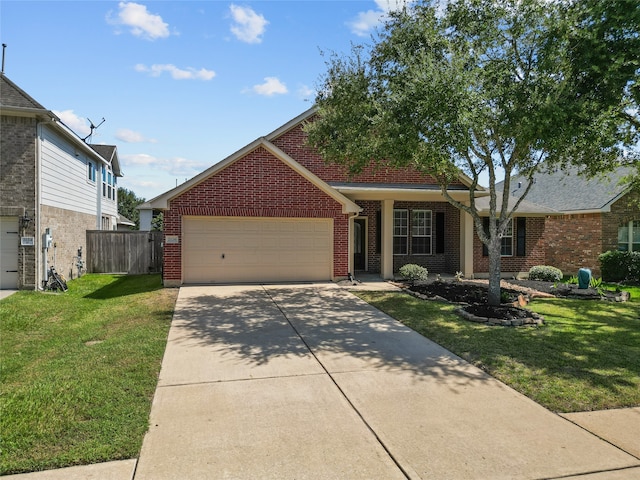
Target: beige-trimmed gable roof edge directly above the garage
x=161 y=202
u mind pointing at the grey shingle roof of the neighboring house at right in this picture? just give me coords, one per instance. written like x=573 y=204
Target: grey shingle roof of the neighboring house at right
x=569 y=192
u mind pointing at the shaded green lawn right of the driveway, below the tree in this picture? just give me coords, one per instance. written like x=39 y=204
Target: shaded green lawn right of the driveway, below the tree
x=586 y=357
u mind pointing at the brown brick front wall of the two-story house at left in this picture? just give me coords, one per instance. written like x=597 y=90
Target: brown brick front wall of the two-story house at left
x=17 y=186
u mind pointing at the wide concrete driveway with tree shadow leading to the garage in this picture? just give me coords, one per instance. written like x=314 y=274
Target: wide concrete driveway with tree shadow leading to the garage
x=308 y=381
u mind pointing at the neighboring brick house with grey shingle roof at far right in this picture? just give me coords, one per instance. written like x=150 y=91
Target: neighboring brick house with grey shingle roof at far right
x=594 y=215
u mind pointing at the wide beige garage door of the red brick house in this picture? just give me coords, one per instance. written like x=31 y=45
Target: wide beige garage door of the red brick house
x=237 y=249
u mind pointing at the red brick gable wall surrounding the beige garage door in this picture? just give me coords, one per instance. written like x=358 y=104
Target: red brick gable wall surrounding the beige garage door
x=257 y=185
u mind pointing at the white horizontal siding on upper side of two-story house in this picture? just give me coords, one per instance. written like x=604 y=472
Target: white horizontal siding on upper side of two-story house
x=64 y=176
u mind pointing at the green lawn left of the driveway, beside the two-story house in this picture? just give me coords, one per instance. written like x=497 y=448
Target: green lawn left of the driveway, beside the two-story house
x=79 y=369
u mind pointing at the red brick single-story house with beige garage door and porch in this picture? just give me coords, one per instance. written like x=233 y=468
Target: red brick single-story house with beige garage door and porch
x=275 y=211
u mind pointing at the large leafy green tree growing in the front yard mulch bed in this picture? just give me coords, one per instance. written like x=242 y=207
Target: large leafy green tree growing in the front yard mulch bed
x=490 y=88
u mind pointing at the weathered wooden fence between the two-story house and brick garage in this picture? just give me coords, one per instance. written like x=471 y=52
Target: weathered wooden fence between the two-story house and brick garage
x=129 y=252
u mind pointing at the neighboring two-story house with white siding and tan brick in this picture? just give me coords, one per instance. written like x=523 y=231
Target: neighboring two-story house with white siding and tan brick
x=53 y=188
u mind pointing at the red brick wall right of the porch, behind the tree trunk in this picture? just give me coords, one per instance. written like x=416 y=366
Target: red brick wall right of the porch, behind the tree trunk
x=534 y=250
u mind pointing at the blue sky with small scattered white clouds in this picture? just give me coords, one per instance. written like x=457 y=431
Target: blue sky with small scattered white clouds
x=181 y=84
